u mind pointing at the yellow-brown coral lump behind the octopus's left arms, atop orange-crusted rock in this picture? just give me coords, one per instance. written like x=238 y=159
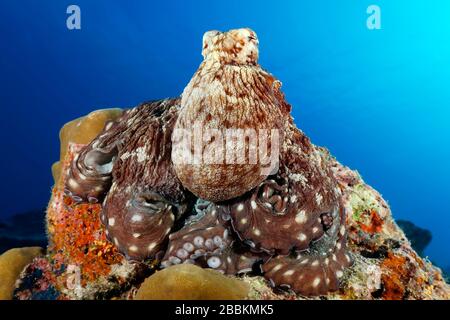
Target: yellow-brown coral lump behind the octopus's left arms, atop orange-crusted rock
x=82 y=131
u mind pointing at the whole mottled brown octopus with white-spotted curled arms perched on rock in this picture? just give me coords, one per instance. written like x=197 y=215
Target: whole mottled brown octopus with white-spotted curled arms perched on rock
x=288 y=224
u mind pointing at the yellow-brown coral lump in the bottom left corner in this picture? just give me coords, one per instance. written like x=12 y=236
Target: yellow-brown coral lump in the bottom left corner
x=12 y=263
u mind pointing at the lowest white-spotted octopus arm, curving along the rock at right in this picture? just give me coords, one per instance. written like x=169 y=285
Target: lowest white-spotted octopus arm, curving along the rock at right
x=318 y=270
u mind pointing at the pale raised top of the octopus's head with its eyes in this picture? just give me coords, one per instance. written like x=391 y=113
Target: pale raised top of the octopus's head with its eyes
x=238 y=46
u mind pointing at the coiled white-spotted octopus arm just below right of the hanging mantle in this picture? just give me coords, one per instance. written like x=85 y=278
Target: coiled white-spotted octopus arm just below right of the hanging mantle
x=270 y=219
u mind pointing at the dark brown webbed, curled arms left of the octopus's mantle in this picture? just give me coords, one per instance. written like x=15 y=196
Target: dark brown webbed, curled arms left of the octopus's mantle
x=143 y=196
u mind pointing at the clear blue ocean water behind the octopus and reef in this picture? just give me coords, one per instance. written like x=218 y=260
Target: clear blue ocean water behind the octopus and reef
x=378 y=99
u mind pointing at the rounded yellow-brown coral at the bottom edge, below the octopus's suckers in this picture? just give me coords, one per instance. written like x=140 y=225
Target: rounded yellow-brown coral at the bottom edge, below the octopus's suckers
x=189 y=282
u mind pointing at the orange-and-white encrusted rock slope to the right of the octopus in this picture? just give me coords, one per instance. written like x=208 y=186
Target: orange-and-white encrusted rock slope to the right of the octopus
x=385 y=261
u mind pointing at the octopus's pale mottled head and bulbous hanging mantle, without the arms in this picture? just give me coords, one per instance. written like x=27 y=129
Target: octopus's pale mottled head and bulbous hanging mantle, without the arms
x=228 y=91
